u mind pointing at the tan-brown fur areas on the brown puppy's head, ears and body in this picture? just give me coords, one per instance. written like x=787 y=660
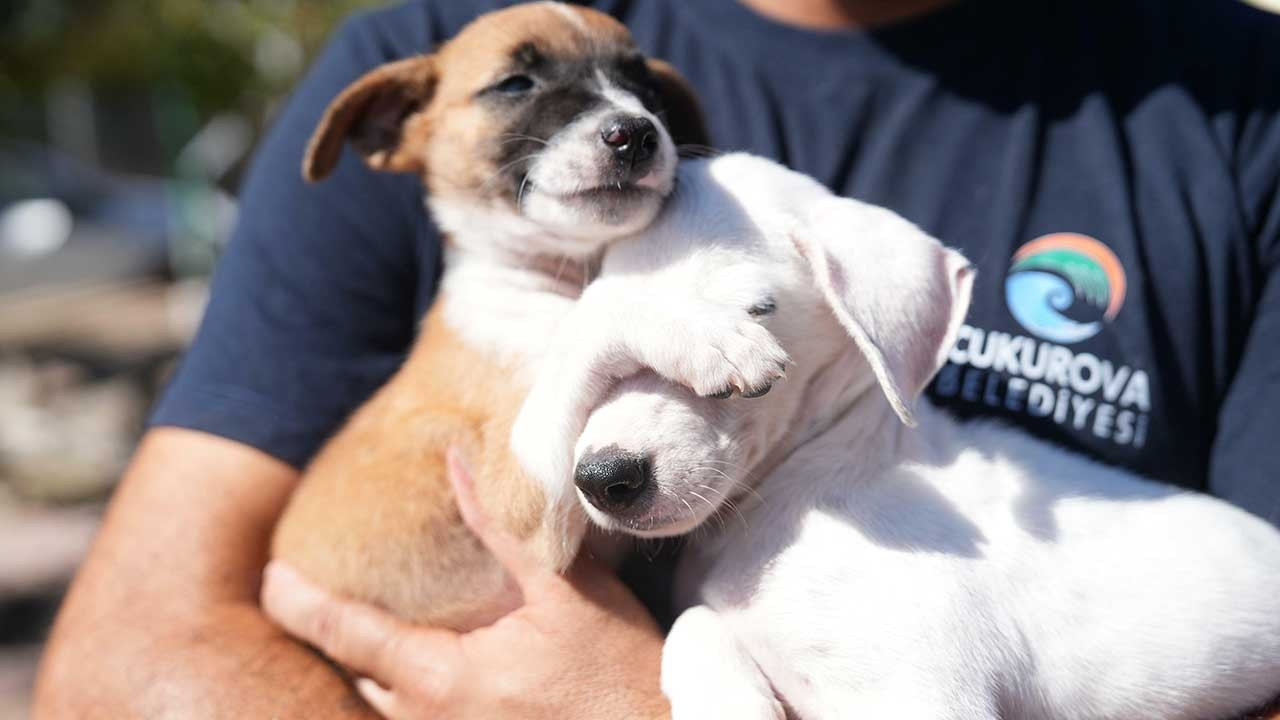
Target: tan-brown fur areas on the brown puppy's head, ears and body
x=374 y=516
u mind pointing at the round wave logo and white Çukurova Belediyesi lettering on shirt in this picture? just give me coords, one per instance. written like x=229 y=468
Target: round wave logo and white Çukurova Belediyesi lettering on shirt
x=1063 y=289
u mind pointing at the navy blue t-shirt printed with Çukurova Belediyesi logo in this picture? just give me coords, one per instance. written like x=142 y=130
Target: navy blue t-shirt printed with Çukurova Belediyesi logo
x=1112 y=167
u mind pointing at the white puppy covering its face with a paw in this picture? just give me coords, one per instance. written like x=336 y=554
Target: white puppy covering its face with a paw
x=857 y=567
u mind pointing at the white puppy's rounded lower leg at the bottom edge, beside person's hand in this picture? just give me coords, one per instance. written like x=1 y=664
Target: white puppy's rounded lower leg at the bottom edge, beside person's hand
x=707 y=673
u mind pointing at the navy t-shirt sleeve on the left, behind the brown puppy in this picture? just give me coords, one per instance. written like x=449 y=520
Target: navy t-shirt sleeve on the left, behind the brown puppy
x=314 y=302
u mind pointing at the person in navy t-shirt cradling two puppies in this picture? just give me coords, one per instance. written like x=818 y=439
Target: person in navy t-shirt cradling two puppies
x=1113 y=170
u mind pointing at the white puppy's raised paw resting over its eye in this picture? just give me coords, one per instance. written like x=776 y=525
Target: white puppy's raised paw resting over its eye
x=717 y=353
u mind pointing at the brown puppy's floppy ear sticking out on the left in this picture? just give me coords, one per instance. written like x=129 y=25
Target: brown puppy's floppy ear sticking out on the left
x=373 y=113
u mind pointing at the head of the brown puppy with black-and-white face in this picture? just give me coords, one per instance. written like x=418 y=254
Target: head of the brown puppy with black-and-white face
x=545 y=115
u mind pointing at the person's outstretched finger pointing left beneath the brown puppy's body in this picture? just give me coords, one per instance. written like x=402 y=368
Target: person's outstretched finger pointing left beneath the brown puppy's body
x=364 y=639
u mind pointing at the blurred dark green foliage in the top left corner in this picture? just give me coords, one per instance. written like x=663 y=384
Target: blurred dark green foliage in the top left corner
x=203 y=57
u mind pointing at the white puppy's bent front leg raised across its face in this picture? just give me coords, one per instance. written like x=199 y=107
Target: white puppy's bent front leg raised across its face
x=619 y=327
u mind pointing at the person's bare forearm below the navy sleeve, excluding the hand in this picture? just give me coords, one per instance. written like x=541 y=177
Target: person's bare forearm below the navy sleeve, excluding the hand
x=163 y=619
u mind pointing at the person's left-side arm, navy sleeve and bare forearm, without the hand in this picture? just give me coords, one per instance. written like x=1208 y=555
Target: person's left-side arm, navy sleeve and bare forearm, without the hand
x=313 y=307
